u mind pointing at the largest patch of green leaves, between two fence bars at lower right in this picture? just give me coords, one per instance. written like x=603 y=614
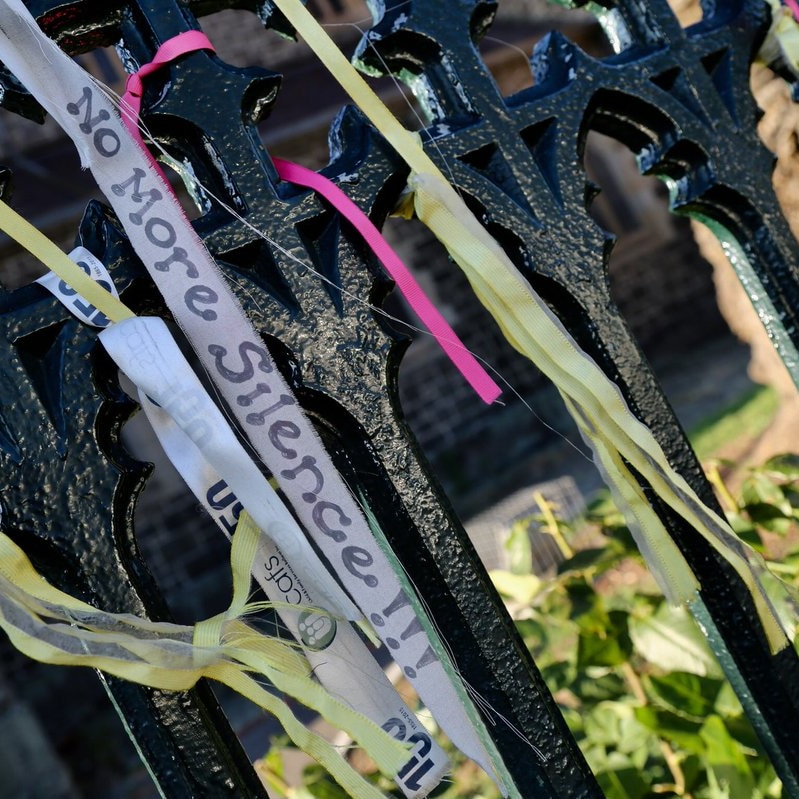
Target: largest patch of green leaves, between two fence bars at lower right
x=636 y=680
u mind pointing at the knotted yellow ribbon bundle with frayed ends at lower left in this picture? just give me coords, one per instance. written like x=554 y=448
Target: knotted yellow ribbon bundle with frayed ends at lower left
x=53 y=627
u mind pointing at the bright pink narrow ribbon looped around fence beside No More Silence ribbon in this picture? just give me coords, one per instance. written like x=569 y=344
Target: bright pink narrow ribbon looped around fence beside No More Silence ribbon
x=475 y=374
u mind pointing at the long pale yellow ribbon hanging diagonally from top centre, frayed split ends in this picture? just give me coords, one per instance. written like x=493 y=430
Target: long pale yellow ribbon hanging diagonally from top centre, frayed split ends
x=533 y=330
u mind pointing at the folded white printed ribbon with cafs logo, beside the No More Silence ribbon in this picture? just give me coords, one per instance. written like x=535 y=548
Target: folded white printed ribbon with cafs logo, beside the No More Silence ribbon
x=183 y=423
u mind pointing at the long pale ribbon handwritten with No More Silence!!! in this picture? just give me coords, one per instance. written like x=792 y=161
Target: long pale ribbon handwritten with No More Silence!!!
x=245 y=374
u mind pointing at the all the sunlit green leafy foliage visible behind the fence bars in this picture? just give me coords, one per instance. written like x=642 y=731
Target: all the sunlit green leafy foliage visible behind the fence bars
x=634 y=677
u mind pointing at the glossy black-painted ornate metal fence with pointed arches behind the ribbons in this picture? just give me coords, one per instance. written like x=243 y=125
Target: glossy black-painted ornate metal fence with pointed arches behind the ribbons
x=678 y=98
